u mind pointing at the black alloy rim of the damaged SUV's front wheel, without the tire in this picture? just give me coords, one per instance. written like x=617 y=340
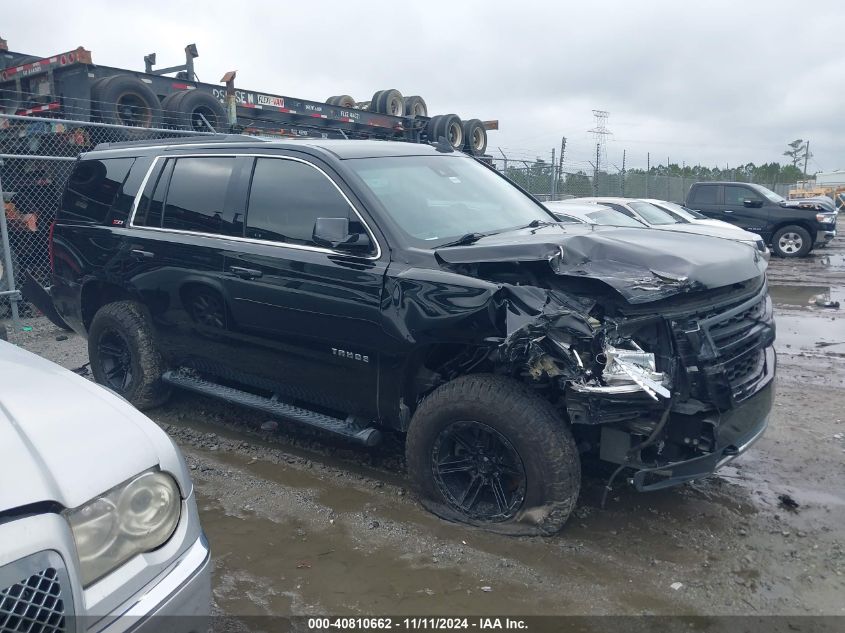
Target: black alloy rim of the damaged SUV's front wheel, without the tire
x=478 y=471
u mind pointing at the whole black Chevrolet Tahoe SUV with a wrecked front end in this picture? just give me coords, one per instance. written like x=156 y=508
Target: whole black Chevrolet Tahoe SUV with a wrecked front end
x=361 y=287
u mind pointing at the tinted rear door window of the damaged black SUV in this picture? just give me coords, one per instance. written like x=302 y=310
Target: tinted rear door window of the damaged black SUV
x=199 y=197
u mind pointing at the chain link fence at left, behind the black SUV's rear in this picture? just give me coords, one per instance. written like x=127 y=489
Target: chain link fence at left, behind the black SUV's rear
x=36 y=158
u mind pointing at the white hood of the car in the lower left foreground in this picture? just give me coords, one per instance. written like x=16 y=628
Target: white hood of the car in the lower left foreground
x=65 y=439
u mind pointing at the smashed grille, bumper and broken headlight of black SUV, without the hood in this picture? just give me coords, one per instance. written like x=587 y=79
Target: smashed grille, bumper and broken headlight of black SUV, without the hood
x=675 y=397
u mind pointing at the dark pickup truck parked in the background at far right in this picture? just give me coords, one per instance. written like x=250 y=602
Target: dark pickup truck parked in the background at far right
x=791 y=227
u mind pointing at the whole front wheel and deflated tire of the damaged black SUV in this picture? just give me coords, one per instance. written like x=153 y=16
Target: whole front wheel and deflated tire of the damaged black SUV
x=486 y=451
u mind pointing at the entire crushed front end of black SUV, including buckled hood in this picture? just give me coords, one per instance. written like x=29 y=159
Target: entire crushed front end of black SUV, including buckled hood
x=657 y=349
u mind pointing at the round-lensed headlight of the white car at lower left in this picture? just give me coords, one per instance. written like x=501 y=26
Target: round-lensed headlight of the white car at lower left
x=135 y=517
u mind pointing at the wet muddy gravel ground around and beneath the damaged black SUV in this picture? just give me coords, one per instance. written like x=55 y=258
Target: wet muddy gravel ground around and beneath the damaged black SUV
x=300 y=524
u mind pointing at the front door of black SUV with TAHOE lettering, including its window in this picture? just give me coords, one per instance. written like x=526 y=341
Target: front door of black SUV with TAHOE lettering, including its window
x=312 y=314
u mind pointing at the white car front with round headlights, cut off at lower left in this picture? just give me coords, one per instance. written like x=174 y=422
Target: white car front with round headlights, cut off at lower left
x=99 y=527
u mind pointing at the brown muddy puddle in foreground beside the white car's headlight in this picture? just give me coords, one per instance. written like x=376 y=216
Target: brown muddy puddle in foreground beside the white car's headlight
x=265 y=567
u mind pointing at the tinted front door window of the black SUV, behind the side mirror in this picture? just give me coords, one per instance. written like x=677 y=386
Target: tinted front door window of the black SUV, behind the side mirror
x=287 y=197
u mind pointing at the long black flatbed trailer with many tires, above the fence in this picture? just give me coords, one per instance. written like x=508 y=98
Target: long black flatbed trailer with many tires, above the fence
x=70 y=85
